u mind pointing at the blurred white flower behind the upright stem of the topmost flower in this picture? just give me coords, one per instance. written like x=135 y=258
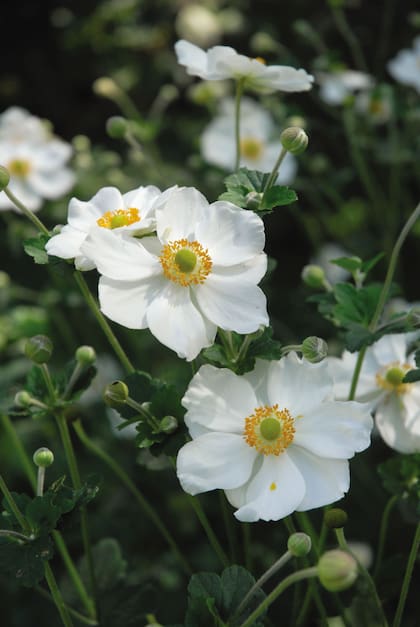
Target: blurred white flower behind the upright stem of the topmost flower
x=258 y=149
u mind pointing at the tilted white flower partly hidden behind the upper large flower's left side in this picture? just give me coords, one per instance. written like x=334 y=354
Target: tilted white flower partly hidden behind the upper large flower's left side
x=131 y=213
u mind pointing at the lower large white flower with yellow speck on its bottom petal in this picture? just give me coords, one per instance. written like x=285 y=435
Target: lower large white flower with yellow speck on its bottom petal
x=273 y=439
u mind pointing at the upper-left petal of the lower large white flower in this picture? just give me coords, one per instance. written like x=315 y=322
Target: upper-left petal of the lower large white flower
x=219 y=400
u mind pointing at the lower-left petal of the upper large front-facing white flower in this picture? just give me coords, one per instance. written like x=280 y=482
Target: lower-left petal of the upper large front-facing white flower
x=127 y=302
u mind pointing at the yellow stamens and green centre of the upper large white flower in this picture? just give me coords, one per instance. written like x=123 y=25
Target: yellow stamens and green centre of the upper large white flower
x=177 y=264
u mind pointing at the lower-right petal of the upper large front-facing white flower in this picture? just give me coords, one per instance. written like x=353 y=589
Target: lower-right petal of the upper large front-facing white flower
x=231 y=304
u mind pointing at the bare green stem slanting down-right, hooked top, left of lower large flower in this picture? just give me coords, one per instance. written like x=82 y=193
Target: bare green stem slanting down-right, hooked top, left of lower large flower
x=141 y=500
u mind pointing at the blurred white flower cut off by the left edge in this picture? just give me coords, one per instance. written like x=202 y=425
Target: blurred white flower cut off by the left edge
x=35 y=159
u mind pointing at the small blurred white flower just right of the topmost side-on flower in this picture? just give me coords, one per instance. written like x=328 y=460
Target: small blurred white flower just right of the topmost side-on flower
x=335 y=87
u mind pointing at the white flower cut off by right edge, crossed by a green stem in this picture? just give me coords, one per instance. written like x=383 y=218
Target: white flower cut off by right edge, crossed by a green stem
x=397 y=404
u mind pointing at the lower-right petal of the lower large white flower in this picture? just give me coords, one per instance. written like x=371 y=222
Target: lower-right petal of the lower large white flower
x=326 y=480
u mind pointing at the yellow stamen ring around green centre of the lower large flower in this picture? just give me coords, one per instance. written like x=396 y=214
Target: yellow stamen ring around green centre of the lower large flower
x=269 y=446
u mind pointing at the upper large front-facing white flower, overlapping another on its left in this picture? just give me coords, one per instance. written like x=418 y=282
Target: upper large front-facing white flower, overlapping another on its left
x=200 y=272
